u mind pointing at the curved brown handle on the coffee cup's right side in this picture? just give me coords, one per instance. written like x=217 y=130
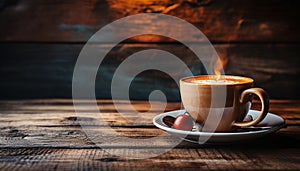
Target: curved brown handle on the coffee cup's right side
x=264 y=105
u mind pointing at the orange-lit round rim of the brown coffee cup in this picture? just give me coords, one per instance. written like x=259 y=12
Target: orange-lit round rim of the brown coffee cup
x=244 y=80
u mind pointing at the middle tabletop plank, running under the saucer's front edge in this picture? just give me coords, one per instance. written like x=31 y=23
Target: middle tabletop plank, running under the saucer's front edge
x=64 y=136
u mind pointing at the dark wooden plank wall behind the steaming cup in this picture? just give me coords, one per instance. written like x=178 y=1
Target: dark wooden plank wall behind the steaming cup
x=40 y=41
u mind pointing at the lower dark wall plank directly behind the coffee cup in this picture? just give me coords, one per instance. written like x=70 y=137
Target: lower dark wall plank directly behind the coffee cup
x=45 y=70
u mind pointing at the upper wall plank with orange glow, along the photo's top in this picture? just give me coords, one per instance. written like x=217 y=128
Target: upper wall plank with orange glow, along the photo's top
x=230 y=21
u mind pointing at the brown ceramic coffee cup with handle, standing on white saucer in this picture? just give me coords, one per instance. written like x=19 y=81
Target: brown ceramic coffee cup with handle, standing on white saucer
x=221 y=103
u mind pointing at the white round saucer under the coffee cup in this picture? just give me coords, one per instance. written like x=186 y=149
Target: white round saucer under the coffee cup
x=271 y=123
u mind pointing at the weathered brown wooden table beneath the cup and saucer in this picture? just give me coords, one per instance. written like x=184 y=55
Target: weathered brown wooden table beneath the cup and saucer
x=46 y=135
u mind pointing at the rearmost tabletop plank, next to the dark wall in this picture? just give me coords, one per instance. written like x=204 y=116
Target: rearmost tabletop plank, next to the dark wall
x=40 y=112
